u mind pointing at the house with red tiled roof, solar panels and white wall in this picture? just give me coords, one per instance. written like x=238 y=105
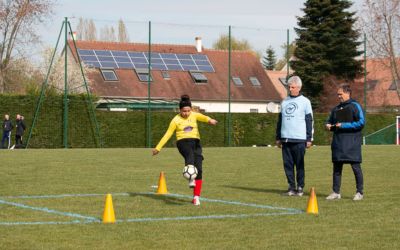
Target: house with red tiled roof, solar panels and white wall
x=121 y=76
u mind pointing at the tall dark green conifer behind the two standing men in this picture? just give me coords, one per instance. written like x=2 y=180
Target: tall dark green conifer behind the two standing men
x=326 y=45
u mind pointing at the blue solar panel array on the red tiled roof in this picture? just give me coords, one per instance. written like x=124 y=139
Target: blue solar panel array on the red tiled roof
x=137 y=60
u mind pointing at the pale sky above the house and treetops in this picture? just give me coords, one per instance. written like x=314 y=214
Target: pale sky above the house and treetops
x=261 y=22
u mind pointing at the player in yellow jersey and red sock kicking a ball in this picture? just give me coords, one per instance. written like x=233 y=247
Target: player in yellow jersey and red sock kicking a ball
x=188 y=141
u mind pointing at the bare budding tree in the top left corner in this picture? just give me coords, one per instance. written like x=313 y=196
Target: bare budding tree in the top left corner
x=17 y=21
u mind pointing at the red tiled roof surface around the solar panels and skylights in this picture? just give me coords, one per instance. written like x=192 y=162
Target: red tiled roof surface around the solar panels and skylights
x=244 y=64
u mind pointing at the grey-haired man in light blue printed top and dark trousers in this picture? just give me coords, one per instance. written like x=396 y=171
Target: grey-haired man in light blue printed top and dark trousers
x=294 y=134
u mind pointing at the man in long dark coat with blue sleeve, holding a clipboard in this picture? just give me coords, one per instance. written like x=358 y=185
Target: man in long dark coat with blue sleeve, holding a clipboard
x=346 y=122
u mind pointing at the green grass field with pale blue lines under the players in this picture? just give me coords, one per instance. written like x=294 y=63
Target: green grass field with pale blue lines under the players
x=54 y=199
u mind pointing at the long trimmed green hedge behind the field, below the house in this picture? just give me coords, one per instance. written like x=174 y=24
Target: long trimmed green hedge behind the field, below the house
x=128 y=129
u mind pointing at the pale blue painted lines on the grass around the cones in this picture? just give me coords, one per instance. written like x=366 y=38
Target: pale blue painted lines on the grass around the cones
x=88 y=219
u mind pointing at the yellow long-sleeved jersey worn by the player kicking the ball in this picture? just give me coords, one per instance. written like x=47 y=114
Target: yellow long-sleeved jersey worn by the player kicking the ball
x=185 y=128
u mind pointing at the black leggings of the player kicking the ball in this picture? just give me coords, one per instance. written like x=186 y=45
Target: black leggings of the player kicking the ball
x=191 y=150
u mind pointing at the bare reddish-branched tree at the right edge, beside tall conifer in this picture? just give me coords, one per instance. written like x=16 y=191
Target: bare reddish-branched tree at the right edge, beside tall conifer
x=381 y=23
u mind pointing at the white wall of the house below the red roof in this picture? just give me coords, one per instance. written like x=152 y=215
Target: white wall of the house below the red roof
x=236 y=107
